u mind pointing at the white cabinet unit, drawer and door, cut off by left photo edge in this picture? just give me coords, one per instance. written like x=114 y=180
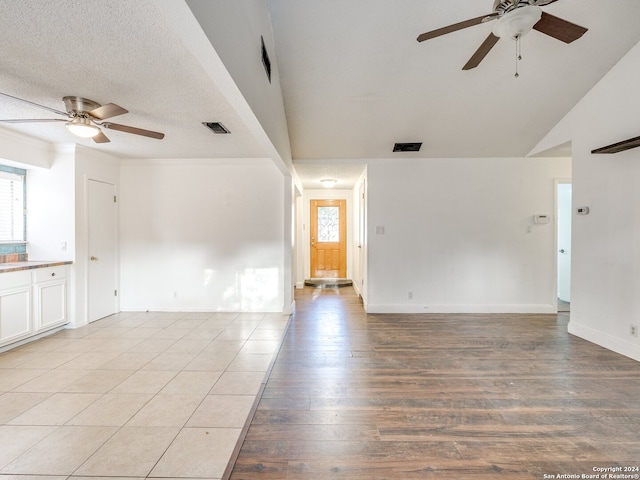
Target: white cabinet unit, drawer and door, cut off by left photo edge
x=15 y=306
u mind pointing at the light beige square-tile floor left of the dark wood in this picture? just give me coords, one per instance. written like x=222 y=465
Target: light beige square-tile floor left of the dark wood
x=134 y=395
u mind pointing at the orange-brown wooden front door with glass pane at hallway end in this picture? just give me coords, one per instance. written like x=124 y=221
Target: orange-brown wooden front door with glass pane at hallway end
x=328 y=242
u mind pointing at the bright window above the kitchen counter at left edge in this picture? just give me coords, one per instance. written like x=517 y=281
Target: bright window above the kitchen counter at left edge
x=12 y=204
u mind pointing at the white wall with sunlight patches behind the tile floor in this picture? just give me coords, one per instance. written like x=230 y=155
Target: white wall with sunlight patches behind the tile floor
x=202 y=235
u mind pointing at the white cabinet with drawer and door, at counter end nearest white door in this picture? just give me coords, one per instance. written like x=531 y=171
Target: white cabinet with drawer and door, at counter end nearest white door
x=49 y=297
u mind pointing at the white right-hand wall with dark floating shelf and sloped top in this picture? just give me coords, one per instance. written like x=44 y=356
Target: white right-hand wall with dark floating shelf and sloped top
x=605 y=278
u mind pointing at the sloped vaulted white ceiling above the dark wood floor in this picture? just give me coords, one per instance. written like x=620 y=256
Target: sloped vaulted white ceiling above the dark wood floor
x=355 y=79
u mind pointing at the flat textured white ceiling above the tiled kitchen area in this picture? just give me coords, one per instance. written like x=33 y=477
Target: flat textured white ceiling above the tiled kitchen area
x=124 y=52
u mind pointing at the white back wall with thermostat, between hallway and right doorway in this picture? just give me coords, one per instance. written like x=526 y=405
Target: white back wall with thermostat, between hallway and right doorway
x=459 y=234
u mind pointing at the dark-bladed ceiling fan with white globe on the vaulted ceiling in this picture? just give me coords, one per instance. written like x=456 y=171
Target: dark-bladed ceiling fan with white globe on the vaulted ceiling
x=515 y=18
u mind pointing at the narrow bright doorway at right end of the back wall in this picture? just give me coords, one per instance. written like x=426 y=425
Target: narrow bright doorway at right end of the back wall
x=563 y=195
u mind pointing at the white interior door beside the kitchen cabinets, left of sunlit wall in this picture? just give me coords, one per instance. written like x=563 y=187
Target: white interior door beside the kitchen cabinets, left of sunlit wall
x=102 y=289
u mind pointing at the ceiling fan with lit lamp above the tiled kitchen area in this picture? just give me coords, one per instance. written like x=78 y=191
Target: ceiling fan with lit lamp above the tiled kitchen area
x=84 y=118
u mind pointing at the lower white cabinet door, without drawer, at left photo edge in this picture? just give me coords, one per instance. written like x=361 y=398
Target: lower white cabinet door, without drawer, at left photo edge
x=15 y=314
